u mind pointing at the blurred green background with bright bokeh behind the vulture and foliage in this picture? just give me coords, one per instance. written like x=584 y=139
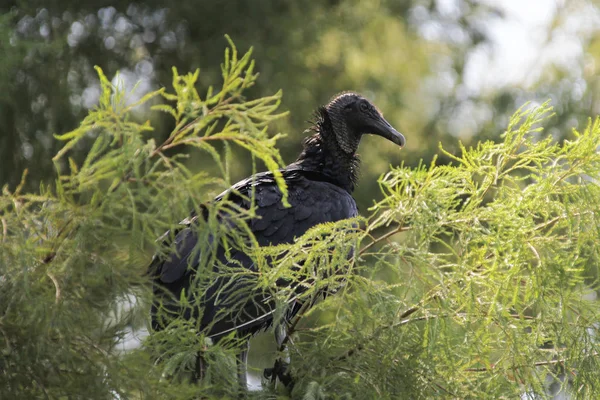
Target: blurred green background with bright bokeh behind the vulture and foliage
x=439 y=70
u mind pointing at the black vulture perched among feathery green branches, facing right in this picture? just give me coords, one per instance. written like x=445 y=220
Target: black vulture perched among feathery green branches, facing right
x=320 y=185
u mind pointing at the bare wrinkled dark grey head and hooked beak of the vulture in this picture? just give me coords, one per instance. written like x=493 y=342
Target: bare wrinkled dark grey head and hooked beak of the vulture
x=352 y=116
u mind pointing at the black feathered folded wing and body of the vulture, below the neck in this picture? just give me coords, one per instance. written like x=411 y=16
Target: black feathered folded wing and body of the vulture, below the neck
x=313 y=201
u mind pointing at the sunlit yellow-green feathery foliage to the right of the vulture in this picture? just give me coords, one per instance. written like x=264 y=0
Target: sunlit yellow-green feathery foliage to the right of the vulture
x=487 y=285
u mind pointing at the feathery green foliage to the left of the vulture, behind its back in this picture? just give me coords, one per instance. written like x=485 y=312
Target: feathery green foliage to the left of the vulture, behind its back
x=74 y=256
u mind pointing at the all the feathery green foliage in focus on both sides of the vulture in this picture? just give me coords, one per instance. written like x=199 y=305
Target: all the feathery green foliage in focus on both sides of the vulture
x=470 y=280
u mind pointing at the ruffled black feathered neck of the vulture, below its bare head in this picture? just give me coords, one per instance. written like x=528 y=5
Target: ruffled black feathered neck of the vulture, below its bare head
x=323 y=155
